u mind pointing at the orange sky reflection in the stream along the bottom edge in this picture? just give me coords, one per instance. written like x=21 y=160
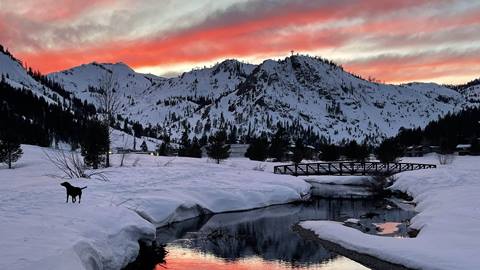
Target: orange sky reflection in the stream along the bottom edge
x=183 y=258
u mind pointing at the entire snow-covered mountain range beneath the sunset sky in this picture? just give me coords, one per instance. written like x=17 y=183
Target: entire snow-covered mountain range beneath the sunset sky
x=298 y=91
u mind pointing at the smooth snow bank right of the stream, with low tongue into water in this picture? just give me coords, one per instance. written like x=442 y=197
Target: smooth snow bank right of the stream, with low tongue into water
x=448 y=219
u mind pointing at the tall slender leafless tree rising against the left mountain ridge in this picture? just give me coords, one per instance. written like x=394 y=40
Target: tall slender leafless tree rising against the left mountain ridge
x=108 y=102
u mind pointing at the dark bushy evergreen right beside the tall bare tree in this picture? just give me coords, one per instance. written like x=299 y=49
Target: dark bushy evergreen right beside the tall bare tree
x=95 y=144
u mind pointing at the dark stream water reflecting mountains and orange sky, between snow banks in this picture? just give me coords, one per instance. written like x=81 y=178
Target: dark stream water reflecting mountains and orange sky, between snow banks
x=264 y=239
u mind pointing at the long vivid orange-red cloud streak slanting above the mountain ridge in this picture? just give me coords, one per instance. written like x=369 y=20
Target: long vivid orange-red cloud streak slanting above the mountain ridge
x=244 y=38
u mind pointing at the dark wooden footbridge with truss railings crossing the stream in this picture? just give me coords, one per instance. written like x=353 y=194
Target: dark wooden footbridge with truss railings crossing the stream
x=349 y=168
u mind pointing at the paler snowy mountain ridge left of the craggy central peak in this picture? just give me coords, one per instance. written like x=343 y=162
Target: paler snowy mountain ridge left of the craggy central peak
x=150 y=99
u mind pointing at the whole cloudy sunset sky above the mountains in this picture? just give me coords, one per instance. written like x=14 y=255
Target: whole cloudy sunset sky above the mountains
x=391 y=41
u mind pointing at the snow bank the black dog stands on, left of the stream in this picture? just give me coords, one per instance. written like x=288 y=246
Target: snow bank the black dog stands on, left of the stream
x=40 y=231
